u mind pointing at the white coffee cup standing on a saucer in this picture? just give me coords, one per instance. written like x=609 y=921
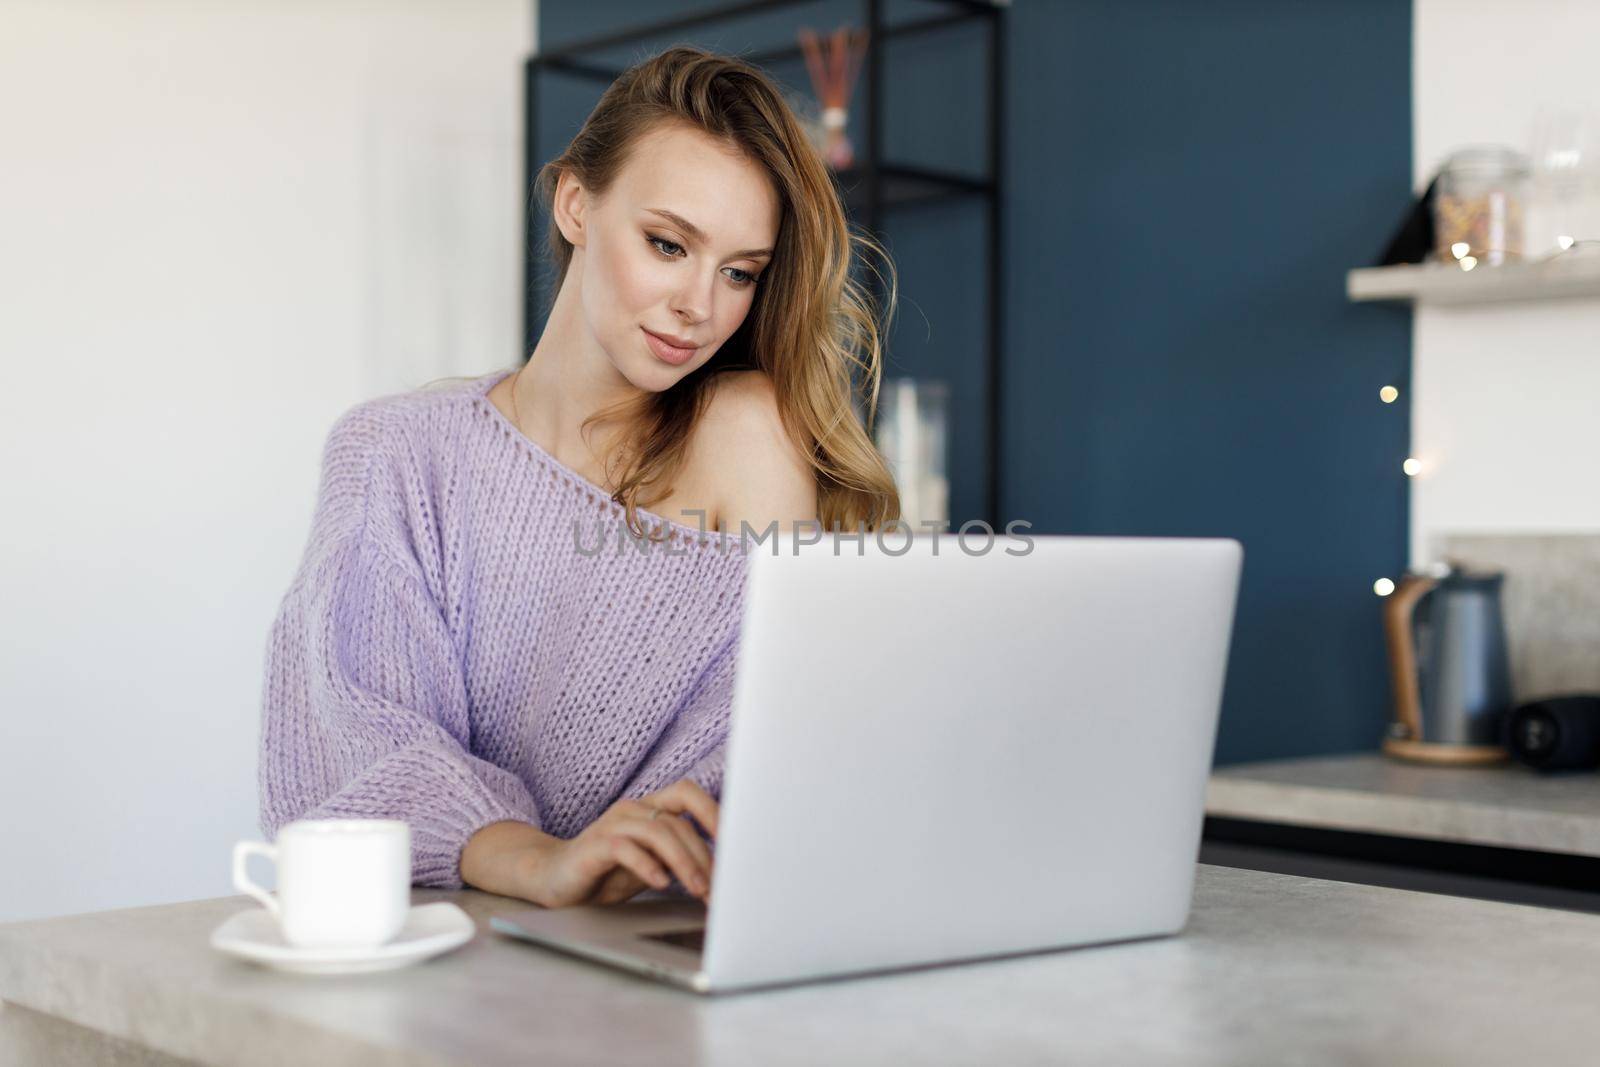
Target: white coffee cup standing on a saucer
x=343 y=884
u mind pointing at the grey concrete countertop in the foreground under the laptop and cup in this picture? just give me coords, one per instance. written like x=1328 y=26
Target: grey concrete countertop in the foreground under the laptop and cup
x=1271 y=970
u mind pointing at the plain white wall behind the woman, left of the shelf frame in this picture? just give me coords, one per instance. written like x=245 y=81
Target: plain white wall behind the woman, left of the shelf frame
x=222 y=225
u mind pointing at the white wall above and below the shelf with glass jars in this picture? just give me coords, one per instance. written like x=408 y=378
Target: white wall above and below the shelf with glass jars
x=1503 y=399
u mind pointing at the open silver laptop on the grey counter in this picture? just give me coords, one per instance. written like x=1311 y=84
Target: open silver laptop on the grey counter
x=946 y=756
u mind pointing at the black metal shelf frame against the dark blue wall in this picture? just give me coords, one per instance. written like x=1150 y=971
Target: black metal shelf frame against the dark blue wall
x=868 y=190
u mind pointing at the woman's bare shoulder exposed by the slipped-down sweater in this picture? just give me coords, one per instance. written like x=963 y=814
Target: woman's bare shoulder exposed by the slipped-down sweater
x=759 y=473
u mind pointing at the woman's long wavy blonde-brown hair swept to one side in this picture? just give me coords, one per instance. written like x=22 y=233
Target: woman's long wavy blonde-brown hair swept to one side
x=812 y=329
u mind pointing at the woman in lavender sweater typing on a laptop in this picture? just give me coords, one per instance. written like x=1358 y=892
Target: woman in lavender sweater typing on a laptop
x=463 y=645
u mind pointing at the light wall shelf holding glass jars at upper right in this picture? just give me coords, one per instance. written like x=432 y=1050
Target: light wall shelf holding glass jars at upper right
x=1570 y=276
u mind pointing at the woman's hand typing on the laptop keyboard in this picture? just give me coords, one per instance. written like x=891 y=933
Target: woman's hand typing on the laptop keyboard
x=628 y=850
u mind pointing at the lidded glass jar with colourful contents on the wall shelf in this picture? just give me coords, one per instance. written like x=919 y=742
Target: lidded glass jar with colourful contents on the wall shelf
x=1479 y=207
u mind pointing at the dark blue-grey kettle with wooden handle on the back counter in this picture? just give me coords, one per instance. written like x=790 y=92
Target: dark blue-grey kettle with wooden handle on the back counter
x=1450 y=666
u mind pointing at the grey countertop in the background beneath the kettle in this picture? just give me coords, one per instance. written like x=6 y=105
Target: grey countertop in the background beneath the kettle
x=1510 y=805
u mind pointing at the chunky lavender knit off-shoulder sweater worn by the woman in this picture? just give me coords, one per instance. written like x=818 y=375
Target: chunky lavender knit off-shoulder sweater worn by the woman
x=454 y=652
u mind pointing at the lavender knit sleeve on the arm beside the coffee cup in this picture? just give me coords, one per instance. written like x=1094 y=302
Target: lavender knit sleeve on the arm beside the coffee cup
x=366 y=711
